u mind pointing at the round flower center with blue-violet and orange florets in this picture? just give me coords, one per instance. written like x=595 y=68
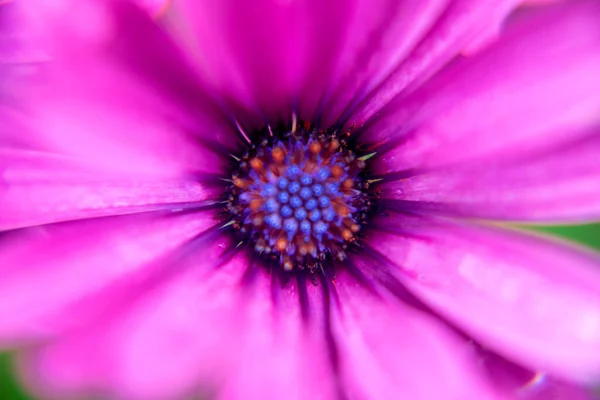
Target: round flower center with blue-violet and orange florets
x=299 y=198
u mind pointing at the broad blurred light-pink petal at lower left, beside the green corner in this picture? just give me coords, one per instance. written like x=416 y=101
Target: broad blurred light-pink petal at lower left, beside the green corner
x=172 y=337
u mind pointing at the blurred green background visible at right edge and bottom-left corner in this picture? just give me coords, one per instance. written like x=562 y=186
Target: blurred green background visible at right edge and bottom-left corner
x=586 y=234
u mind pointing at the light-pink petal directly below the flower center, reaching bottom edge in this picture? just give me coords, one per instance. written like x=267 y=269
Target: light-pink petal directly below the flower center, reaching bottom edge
x=283 y=354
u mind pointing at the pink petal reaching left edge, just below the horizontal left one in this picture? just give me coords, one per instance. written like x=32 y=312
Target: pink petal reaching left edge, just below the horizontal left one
x=47 y=269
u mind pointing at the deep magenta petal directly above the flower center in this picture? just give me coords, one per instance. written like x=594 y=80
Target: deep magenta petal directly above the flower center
x=263 y=54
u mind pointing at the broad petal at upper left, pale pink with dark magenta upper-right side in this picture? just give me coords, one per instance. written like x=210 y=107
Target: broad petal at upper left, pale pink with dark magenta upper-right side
x=127 y=90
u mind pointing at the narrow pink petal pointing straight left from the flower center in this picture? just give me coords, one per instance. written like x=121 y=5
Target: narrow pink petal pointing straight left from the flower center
x=40 y=188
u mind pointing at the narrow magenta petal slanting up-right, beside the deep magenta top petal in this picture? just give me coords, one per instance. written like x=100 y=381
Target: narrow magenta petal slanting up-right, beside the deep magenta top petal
x=378 y=36
